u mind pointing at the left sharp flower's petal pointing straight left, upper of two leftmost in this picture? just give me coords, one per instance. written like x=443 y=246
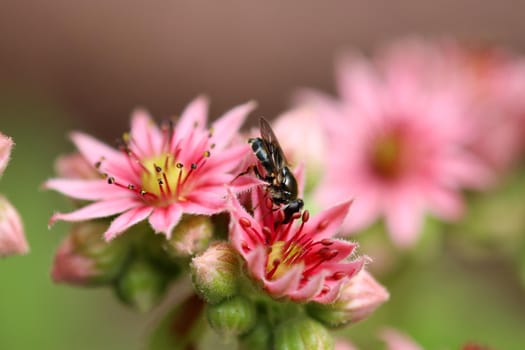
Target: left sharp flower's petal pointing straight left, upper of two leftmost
x=86 y=189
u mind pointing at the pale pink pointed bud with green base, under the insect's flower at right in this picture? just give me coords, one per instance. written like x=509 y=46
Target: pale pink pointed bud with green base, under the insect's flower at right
x=360 y=296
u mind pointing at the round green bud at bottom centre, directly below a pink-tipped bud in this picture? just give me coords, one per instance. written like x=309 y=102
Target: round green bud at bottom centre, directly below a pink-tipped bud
x=233 y=316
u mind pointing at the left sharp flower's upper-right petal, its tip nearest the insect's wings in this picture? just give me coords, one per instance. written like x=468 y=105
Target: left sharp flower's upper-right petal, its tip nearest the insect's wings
x=229 y=124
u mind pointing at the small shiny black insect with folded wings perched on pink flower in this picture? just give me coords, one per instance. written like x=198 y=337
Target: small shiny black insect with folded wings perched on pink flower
x=282 y=185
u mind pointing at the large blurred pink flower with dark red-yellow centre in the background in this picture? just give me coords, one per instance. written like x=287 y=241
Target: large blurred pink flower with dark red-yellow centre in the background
x=399 y=145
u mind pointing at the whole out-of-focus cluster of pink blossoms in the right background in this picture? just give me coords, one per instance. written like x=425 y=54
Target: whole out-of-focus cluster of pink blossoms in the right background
x=413 y=127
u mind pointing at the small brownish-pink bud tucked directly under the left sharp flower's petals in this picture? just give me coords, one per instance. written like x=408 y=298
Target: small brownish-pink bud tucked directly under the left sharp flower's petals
x=190 y=236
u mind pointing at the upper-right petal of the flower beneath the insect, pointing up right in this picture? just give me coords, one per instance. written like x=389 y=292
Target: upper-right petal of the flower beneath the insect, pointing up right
x=326 y=223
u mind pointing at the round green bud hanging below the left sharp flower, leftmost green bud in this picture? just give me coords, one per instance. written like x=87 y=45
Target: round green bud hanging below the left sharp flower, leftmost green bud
x=141 y=285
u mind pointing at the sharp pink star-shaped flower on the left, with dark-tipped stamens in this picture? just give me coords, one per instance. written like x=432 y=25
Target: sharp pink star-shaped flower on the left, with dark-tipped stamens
x=159 y=173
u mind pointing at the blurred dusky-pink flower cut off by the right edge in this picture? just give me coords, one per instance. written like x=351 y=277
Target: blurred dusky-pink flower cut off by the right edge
x=497 y=84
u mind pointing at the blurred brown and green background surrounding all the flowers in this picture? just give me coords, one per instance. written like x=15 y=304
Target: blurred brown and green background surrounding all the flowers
x=86 y=66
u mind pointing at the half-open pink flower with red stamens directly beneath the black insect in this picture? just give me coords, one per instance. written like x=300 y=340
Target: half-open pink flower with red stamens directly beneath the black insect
x=299 y=260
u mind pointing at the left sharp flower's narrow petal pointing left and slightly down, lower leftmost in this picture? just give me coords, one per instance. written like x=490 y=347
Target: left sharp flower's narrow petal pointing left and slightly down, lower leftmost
x=97 y=210
